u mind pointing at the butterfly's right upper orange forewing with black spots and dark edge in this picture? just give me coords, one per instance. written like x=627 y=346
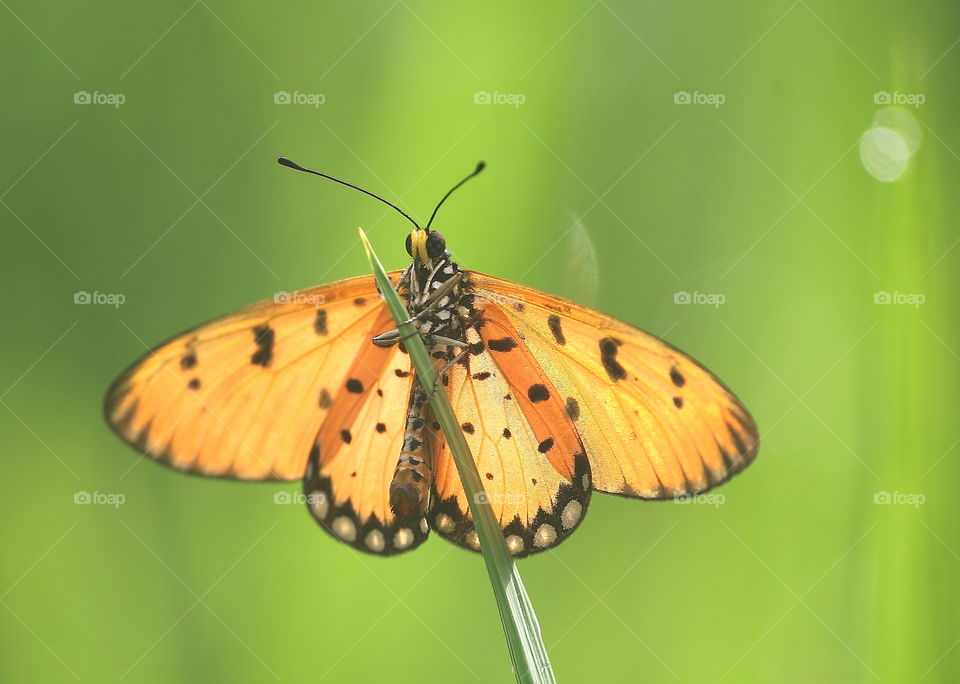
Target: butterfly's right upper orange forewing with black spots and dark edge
x=654 y=423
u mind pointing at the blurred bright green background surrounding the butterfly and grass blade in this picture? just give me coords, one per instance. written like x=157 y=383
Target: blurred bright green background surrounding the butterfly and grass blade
x=604 y=184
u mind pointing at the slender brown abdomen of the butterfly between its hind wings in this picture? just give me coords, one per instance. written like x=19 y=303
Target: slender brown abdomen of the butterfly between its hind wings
x=410 y=487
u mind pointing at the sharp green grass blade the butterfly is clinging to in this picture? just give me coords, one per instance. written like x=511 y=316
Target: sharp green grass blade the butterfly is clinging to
x=520 y=626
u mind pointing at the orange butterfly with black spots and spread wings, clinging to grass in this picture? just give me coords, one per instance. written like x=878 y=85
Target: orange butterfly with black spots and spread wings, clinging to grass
x=555 y=400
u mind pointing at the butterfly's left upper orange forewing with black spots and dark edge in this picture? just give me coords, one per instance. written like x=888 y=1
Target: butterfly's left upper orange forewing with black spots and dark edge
x=245 y=395
